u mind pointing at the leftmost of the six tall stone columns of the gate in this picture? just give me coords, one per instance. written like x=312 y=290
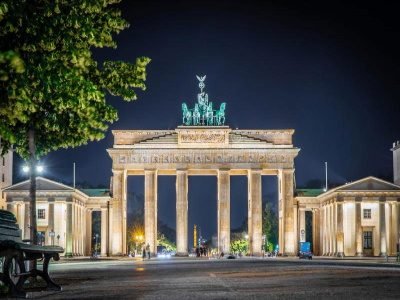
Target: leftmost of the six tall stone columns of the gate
x=118 y=203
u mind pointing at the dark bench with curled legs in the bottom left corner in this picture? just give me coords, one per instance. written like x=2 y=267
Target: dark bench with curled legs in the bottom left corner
x=15 y=252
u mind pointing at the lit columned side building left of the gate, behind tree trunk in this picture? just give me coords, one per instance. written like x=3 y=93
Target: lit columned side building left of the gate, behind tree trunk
x=63 y=210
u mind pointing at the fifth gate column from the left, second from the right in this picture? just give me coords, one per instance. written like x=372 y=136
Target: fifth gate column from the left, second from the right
x=255 y=239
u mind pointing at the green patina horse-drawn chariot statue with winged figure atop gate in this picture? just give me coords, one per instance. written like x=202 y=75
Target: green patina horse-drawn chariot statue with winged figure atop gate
x=203 y=113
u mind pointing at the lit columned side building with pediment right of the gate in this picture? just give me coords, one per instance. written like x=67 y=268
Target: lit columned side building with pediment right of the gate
x=356 y=219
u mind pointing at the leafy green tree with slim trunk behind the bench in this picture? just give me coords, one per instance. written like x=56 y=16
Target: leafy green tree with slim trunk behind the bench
x=52 y=90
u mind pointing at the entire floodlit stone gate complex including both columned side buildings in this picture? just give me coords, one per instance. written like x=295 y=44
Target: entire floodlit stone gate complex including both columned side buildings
x=361 y=218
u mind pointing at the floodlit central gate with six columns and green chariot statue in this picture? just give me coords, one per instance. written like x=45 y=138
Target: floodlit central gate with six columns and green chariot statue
x=203 y=145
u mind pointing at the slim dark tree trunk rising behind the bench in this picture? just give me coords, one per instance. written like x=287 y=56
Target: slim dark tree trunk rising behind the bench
x=32 y=190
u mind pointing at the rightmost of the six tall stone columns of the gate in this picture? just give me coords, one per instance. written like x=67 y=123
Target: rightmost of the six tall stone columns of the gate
x=288 y=213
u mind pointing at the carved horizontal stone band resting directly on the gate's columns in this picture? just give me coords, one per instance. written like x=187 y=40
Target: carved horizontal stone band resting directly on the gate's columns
x=130 y=159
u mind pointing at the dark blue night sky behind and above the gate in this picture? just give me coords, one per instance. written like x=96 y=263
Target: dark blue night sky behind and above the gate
x=328 y=70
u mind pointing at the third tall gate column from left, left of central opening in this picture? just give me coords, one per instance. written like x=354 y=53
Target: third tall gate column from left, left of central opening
x=181 y=213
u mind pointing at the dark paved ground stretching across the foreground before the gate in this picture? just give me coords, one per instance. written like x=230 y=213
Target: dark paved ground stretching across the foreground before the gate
x=246 y=278
